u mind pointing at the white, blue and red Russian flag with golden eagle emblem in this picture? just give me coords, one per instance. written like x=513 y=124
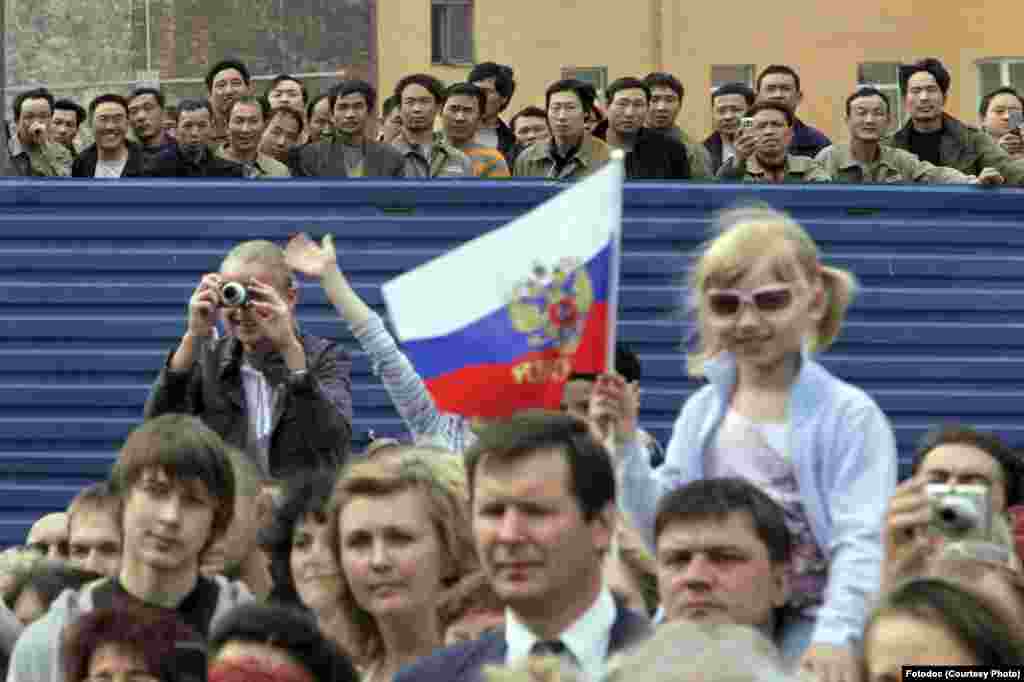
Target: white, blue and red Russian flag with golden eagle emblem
x=497 y=325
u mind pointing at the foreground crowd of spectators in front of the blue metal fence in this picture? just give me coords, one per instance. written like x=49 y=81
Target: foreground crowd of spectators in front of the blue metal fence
x=239 y=538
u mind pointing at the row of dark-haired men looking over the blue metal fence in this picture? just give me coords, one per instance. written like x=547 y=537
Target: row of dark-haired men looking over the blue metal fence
x=428 y=130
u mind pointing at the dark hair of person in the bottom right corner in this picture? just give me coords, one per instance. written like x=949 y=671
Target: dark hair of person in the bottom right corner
x=964 y=615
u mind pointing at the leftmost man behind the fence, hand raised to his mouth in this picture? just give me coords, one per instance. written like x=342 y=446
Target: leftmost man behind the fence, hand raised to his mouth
x=32 y=153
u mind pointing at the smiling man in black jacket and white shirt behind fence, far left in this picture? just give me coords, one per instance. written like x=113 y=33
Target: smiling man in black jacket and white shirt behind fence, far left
x=112 y=155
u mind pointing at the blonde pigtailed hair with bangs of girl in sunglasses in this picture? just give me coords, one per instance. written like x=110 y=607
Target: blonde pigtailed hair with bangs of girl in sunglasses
x=742 y=239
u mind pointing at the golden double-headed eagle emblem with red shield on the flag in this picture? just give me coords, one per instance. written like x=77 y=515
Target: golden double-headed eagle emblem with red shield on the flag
x=551 y=306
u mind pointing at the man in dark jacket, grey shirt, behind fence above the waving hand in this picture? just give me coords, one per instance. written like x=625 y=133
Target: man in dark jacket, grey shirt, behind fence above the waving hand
x=350 y=153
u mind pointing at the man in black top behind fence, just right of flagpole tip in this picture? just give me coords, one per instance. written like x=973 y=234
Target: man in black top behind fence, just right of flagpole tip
x=650 y=155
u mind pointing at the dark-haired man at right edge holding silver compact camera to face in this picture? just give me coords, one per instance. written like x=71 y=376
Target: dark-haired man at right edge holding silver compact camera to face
x=964 y=483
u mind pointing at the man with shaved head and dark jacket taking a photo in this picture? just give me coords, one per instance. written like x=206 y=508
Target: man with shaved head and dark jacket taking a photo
x=282 y=397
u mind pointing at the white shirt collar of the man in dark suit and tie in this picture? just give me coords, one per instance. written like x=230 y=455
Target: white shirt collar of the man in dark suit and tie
x=587 y=640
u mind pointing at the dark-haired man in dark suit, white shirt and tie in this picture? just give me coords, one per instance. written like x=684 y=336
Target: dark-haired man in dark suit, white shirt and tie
x=544 y=506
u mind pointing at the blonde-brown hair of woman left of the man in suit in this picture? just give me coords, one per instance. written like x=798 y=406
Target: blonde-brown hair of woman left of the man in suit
x=442 y=481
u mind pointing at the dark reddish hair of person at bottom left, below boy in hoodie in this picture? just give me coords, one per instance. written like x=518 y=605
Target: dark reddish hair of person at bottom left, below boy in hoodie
x=154 y=634
